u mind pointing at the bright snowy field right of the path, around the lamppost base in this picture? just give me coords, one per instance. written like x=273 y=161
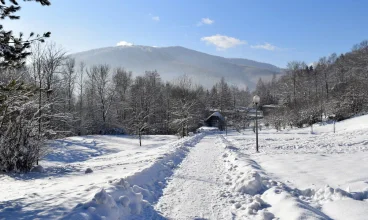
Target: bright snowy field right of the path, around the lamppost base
x=314 y=174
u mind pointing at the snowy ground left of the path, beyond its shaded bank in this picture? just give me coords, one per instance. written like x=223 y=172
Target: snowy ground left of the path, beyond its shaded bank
x=63 y=184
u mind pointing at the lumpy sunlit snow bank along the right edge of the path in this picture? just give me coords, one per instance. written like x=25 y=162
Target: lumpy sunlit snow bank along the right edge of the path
x=247 y=183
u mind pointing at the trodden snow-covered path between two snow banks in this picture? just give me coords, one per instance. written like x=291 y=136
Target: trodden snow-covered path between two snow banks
x=195 y=189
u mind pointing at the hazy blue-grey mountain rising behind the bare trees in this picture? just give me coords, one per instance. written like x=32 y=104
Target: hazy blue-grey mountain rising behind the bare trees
x=172 y=62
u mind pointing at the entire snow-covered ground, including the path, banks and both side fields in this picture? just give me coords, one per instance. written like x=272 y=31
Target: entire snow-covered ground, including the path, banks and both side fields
x=296 y=175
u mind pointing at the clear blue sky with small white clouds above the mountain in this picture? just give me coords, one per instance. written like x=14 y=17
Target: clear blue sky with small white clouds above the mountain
x=274 y=31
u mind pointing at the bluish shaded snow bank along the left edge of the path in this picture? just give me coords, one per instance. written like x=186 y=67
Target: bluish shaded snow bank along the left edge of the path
x=131 y=197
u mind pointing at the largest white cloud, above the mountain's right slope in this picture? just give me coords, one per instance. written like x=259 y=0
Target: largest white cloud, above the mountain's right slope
x=223 y=42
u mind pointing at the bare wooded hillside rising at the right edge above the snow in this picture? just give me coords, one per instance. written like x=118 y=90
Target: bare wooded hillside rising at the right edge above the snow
x=335 y=87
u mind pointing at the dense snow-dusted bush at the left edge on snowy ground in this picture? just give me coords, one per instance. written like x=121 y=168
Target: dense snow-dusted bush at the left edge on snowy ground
x=21 y=144
